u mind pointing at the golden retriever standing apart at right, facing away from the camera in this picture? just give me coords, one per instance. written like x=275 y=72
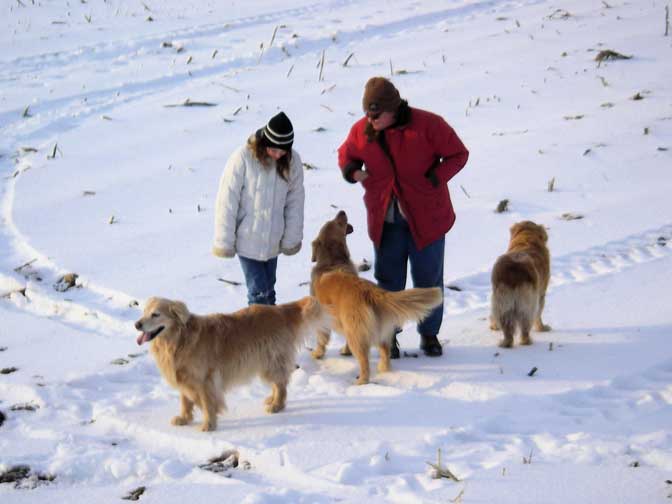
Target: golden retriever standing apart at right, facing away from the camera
x=519 y=282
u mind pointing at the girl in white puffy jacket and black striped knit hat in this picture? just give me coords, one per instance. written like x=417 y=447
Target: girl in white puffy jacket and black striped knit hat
x=259 y=208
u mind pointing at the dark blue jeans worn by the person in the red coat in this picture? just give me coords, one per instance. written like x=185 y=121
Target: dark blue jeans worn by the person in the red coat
x=392 y=256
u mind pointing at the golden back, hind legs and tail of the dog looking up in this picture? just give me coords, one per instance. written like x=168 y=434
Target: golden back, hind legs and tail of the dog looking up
x=367 y=315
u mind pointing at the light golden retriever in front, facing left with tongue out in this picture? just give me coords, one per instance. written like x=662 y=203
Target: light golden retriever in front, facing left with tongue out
x=205 y=356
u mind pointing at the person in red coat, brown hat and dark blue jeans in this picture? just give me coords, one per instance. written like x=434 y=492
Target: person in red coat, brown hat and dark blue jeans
x=404 y=157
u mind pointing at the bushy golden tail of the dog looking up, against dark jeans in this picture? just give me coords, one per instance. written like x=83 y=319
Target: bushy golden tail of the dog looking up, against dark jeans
x=411 y=304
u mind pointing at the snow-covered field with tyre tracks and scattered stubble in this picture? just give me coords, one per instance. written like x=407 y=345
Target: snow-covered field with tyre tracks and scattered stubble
x=101 y=177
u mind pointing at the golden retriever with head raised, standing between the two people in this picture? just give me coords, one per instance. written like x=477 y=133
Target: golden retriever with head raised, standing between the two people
x=362 y=312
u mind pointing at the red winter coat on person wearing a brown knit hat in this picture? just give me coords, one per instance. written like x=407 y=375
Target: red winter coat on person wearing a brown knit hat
x=414 y=146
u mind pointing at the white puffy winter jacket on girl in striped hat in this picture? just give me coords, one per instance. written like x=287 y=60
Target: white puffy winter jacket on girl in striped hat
x=257 y=213
